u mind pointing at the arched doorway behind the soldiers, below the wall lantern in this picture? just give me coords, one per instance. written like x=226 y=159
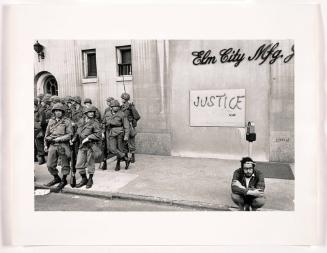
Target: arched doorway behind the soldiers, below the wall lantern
x=46 y=83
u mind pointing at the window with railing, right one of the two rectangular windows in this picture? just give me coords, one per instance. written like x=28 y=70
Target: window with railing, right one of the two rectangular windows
x=124 y=60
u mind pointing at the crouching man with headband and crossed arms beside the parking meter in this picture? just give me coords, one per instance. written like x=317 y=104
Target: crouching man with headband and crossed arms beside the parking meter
x=248 y=186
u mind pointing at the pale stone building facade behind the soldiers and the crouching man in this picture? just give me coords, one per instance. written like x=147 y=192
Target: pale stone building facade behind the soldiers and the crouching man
x=160 y=74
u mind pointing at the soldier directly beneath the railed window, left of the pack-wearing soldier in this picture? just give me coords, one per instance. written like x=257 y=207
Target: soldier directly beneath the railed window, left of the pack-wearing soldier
x=118 y=132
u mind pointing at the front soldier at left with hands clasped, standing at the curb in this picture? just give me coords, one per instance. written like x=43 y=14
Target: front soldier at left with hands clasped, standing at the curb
x=56 y=142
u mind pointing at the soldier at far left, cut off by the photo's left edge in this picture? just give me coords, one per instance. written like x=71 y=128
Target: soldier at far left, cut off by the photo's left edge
x=39 y=125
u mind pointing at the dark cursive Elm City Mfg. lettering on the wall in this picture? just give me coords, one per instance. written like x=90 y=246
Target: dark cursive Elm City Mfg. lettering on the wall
x=266 y=52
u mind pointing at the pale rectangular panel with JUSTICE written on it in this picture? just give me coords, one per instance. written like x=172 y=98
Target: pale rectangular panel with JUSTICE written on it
x=217 y=107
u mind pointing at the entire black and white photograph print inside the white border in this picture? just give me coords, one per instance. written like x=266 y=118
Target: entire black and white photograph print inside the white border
x=164 y=125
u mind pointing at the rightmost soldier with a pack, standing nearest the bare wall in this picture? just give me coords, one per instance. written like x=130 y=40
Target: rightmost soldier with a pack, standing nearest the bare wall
x=133 y=116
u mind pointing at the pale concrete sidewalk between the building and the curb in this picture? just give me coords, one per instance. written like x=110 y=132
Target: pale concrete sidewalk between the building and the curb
x=197 y=182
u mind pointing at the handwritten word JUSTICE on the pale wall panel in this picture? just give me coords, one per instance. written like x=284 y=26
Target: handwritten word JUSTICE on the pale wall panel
x=221 y=101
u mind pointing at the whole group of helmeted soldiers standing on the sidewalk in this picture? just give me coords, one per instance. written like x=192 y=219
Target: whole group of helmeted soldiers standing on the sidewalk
x=75 y=136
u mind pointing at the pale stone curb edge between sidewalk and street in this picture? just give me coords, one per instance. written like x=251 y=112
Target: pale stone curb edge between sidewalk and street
x=134 y=197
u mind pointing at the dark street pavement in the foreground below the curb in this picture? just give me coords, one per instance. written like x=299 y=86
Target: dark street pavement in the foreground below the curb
x=70 y=202
